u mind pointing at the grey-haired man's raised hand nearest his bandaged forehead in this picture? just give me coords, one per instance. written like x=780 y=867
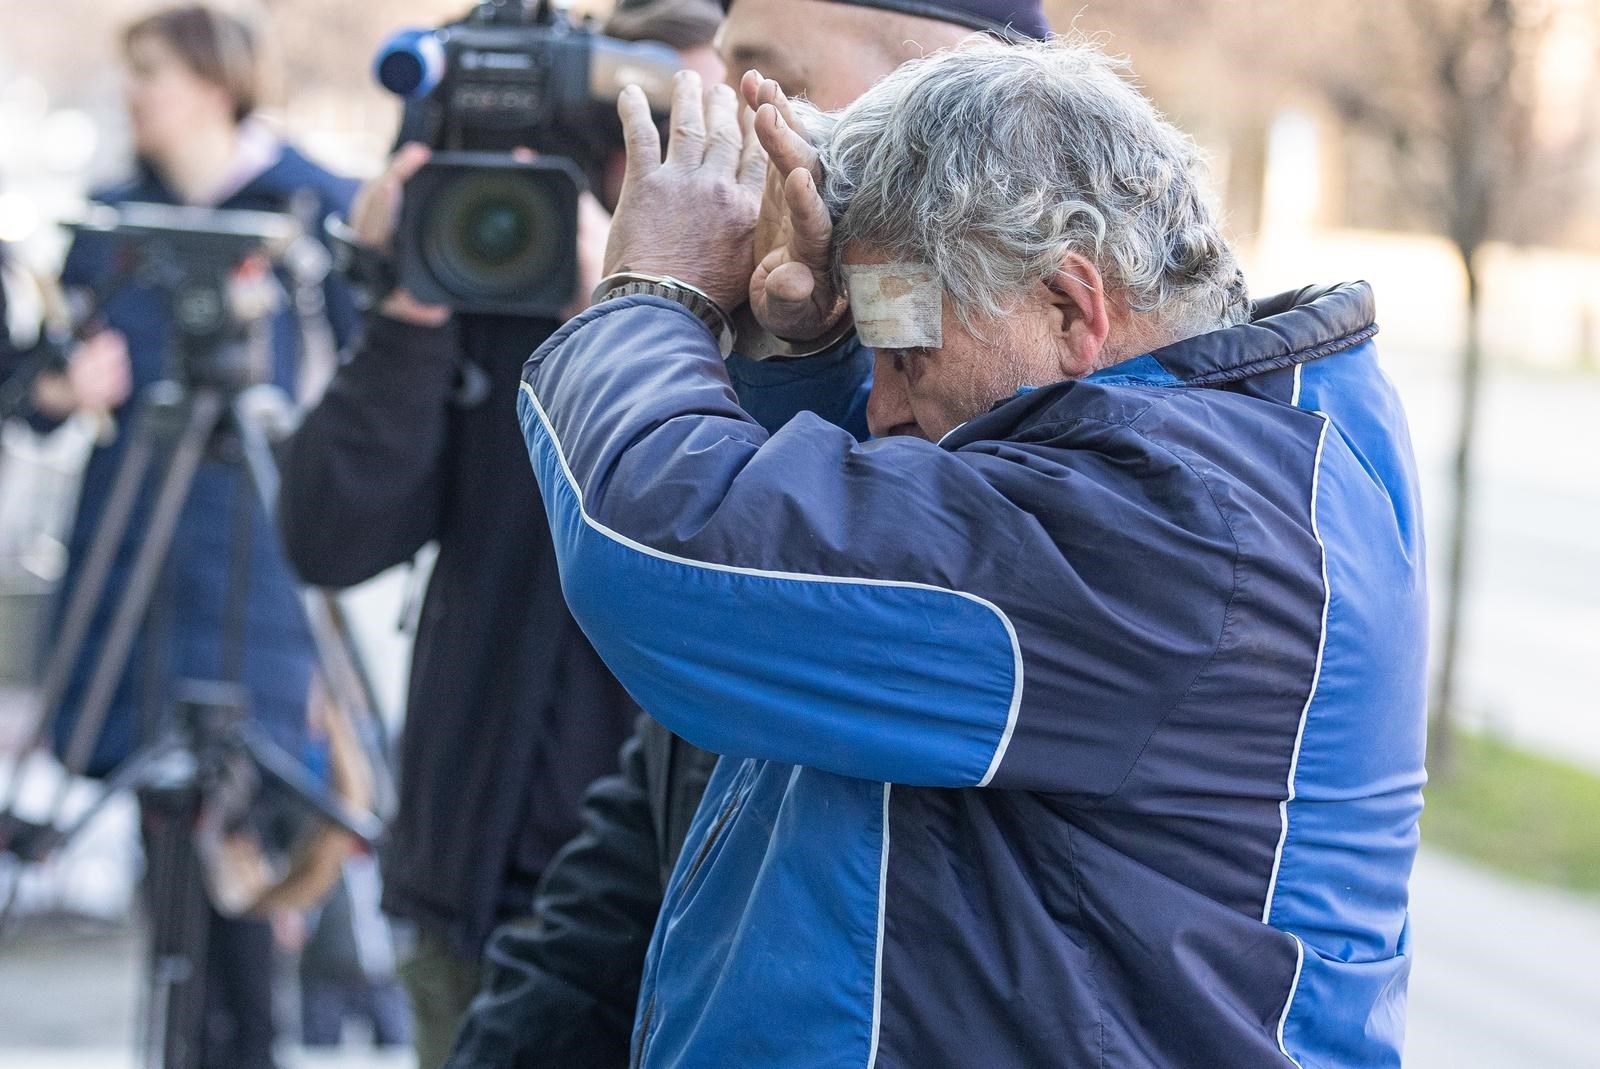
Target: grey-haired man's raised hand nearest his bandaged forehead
x=793 y=289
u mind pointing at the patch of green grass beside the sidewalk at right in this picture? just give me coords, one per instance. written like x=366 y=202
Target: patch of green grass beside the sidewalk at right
x=1526 y=815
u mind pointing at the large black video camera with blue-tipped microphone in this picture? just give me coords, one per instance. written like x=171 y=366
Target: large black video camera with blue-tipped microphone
x=482 y=231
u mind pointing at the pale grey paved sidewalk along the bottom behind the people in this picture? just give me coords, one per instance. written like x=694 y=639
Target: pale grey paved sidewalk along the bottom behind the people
x=1503 y=980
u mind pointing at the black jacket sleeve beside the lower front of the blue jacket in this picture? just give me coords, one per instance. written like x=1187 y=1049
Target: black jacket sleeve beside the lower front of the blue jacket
x=562 y=987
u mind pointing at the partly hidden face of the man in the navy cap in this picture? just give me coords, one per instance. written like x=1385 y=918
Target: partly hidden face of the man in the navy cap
x=828 y=52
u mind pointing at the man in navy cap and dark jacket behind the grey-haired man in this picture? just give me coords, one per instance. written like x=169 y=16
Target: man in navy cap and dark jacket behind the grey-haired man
x=562 y=983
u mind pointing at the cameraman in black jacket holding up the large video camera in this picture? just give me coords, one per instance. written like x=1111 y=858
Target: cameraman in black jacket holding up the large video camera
x=511 y=715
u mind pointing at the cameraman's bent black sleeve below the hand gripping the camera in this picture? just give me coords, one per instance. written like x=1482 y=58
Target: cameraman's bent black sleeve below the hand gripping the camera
x=362 y=476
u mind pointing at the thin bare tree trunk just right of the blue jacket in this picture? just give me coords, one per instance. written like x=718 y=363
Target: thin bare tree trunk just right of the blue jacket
x=1442 y=723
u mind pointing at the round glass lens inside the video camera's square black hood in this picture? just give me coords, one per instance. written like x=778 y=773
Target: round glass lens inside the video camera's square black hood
x=492 y=236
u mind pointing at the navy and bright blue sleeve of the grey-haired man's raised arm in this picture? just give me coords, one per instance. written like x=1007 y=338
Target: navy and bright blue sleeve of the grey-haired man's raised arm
x=894 y=612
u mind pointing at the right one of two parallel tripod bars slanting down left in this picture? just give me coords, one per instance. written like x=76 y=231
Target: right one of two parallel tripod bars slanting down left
x=206 y=414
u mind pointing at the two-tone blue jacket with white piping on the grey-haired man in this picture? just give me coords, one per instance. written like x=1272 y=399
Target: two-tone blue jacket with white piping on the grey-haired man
x=1089 y=737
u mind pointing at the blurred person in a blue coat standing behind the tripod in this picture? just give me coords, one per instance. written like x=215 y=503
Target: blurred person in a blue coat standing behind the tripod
x=193 y=87
